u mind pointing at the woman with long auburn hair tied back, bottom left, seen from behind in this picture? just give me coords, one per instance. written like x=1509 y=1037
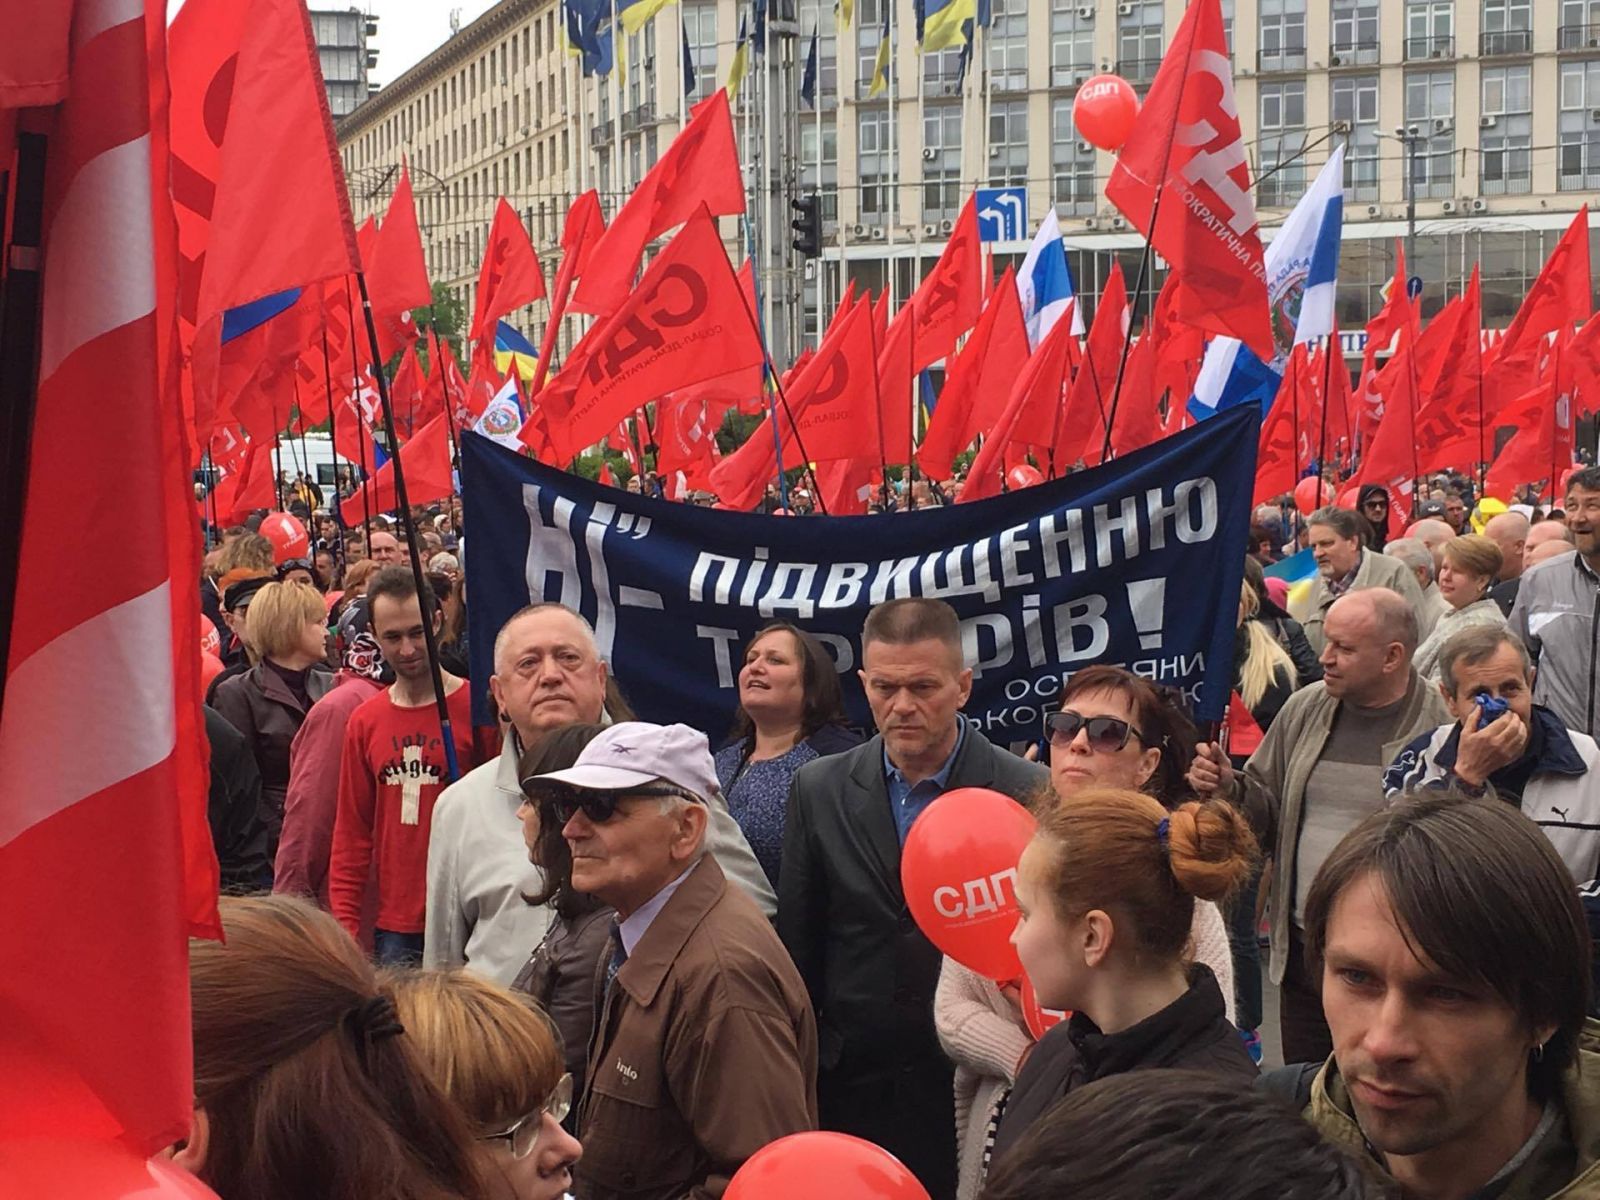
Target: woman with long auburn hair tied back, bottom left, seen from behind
x=308 y=1084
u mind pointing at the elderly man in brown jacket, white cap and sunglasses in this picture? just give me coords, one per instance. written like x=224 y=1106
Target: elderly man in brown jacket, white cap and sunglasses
x=705 y=1046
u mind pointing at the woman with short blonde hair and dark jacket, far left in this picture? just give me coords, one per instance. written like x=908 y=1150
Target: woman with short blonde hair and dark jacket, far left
x=287 y=631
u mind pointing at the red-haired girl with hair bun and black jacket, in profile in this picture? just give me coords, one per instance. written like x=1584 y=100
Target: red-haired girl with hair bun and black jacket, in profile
x=1108 y=890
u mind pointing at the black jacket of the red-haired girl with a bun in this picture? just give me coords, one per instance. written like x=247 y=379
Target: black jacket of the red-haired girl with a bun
x=1193 y=1033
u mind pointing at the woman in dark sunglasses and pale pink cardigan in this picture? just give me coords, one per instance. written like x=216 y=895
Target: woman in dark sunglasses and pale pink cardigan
x=1114 y=730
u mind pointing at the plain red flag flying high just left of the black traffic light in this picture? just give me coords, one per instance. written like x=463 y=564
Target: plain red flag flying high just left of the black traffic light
x=700 y=169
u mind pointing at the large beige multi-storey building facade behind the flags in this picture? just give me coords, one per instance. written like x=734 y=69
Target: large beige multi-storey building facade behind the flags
x=1473 y=127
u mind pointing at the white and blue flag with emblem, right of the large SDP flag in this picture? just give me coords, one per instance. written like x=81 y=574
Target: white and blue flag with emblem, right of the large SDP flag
x=1303 y=271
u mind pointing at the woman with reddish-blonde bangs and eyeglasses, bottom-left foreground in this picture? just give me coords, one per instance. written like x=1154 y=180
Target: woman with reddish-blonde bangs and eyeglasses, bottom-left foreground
x=495 y=1055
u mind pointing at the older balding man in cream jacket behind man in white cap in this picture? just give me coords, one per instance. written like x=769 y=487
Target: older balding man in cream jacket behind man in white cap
x=548 y=674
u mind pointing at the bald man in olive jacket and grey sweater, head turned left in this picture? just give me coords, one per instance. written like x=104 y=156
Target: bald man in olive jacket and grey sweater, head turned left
x=1319 y=774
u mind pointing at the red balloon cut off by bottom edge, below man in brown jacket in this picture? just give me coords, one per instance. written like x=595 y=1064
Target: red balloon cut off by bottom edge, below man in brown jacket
x=834 y=1166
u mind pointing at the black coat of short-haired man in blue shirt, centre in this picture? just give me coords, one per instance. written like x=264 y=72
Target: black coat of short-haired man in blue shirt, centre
x=870 y=970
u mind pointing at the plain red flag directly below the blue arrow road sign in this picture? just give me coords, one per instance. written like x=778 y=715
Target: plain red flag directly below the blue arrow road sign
x=978 y=382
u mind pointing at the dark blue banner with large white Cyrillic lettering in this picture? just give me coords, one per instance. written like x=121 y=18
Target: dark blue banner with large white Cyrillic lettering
x=1137 y=562
